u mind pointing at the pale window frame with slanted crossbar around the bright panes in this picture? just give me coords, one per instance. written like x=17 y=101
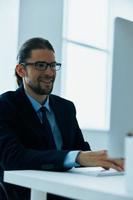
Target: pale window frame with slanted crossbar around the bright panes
x=94 y=47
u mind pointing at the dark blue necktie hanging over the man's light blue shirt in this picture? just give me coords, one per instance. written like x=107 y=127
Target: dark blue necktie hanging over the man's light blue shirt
x=47 y=127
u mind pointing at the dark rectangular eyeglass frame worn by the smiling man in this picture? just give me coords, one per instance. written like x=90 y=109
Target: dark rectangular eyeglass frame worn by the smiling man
x=43 y=62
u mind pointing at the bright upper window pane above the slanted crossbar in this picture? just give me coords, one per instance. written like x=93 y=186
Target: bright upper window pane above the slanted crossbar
x=87 y=21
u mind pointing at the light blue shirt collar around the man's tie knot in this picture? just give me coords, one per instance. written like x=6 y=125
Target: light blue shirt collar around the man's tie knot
x=36 y=105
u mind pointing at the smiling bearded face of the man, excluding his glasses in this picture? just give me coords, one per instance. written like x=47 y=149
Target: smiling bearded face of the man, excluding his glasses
x=40 y=82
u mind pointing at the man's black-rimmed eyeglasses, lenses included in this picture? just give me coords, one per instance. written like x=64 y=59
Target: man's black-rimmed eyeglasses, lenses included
x=42 y=66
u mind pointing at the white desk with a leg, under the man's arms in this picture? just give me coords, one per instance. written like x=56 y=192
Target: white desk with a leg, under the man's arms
x=69 y=184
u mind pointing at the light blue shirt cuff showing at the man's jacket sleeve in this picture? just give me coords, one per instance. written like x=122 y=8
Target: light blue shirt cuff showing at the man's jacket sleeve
x=70 y=160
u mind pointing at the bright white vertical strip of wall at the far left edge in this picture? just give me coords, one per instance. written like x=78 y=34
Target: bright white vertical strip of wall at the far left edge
x=9 y=12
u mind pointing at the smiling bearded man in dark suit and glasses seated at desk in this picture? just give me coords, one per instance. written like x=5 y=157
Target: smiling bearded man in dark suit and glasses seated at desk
x=34 y=137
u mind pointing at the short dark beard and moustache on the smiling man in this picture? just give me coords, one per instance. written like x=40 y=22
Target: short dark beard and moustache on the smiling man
x=38 y=89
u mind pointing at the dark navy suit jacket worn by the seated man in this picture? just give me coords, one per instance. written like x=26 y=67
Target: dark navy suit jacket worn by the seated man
x=23 y=143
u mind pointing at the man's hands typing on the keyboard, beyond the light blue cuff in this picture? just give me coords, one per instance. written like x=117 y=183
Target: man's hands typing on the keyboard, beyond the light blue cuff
x=99 y=159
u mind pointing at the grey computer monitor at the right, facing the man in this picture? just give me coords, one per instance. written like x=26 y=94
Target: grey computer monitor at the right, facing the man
x=121 y=112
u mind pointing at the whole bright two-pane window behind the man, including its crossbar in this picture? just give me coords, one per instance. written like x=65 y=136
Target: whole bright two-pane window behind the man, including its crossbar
x=85 y=53
